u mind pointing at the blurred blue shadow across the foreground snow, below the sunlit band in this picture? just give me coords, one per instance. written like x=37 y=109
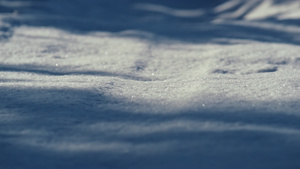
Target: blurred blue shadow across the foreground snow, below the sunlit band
x=62 y=128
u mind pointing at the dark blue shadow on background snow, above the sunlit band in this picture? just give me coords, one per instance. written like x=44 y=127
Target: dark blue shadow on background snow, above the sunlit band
x=161 y=18
